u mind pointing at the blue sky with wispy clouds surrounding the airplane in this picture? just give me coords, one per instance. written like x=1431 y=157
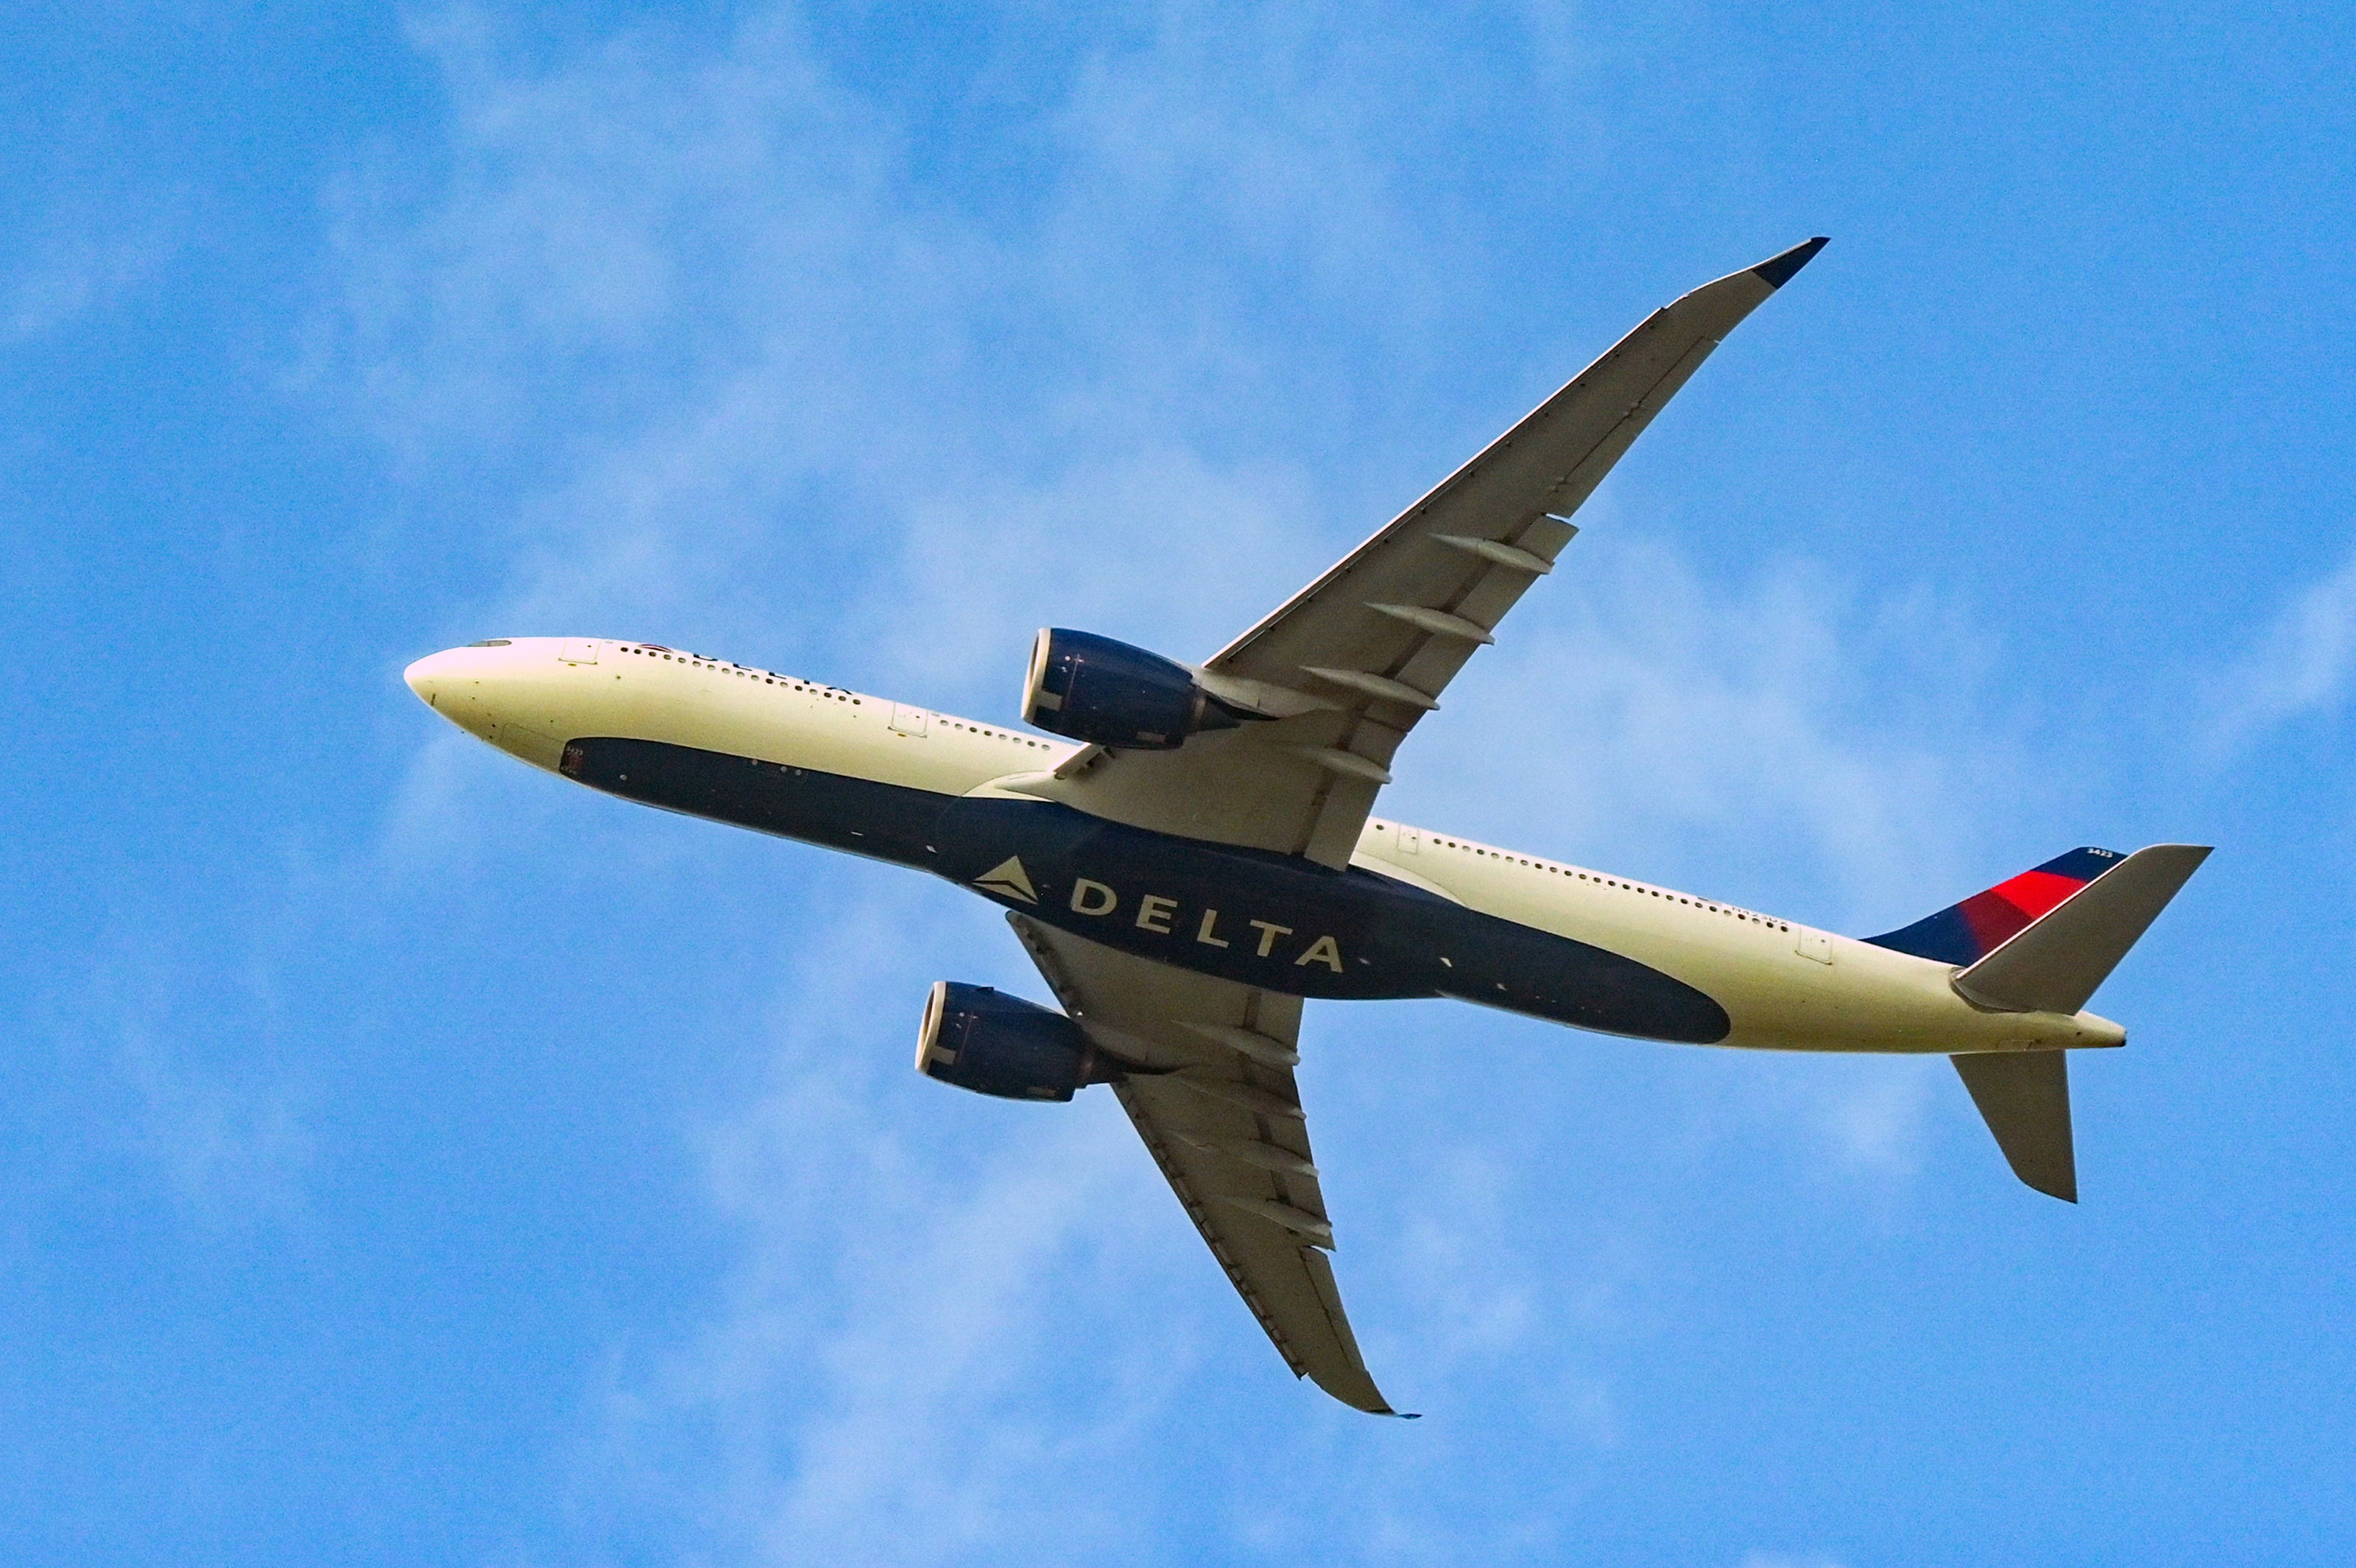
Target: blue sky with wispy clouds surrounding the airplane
x=416 y=1160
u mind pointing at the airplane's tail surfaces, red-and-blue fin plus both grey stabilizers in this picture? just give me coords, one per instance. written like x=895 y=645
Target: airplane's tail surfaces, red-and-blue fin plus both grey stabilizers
x=2044 y=943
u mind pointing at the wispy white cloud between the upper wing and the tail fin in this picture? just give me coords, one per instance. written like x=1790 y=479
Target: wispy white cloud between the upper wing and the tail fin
x=1749 y=740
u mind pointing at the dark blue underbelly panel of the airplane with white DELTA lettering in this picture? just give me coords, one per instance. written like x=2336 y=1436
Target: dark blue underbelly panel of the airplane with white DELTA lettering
x=1262 y=919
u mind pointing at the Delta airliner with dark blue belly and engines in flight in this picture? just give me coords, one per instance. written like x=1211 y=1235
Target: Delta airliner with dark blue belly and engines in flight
x=1189 y=853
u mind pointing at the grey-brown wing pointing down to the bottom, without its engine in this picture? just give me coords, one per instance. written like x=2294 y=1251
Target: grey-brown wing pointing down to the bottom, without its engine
x=1224 y=1119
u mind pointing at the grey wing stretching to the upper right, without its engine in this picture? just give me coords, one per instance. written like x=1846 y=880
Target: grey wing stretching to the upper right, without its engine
x=1349 y=667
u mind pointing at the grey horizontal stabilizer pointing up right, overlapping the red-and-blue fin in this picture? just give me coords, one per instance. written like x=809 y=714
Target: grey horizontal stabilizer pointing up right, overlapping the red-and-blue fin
x=2058 y=959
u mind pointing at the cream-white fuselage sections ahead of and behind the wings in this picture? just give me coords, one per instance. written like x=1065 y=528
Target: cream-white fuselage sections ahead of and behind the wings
x=1785 y=985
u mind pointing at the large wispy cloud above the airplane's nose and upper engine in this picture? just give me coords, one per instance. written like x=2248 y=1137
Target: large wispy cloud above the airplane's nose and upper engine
x=717 y=317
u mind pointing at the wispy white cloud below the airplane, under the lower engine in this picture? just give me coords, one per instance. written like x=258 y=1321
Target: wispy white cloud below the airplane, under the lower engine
x=887 y=1409
